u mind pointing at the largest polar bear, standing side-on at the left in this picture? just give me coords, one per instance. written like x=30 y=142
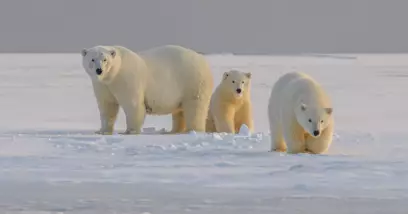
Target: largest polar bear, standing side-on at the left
x=164 y=80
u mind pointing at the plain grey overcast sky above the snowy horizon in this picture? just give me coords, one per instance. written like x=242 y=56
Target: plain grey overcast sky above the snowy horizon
x=238 y=26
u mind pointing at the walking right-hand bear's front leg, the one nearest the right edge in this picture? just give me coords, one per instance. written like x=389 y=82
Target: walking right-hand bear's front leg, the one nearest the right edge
x=321 y=144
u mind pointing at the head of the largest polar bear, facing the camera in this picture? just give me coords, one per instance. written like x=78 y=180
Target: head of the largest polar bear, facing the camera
x=100 y=62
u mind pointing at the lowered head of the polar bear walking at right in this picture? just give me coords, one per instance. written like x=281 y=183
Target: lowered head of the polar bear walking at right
x=312 y=118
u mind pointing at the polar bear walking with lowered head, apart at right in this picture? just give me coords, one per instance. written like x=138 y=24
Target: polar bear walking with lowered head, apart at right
x=300 y=115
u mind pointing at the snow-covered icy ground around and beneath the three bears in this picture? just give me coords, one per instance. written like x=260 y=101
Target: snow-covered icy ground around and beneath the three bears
x=51 y=162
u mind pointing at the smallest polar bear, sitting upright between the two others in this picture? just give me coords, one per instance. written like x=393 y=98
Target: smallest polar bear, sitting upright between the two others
x=230 y=105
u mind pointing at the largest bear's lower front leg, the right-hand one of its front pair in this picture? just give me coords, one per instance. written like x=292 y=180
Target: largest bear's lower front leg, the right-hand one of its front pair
x=135 y=115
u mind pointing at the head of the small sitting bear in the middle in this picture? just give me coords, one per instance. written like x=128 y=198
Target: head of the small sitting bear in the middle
x=236 y=82
